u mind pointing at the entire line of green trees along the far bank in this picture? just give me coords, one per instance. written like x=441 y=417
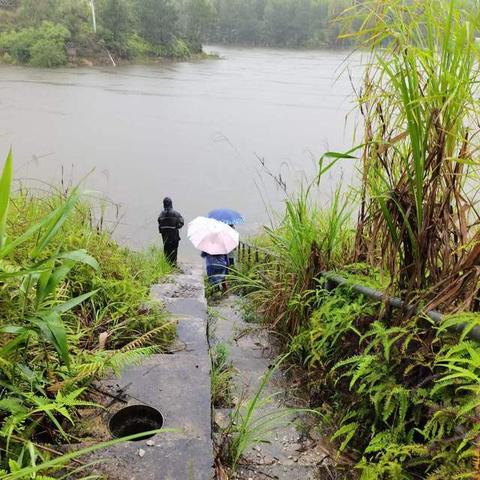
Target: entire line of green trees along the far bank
x=54 y=32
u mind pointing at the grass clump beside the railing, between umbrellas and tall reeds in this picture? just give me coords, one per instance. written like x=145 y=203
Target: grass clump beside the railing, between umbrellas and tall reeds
x=307 y=241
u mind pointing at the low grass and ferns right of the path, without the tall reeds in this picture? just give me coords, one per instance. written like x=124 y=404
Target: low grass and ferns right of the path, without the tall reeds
x=398 y=392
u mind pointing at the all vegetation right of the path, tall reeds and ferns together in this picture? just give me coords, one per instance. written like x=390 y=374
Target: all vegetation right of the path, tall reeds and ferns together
x=397 y=392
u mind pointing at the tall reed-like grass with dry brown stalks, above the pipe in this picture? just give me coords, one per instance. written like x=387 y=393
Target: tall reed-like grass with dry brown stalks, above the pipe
x=420 y=104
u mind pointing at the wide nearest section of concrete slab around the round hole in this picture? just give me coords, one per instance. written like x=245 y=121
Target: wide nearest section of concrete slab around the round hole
x=179 y=387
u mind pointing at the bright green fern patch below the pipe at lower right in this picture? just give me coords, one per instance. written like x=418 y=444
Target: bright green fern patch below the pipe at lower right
x=398 y=390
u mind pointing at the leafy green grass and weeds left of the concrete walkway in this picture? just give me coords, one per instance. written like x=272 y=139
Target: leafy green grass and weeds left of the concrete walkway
x=74 y=305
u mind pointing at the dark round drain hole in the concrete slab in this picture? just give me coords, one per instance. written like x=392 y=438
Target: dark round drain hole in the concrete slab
x=135 y=419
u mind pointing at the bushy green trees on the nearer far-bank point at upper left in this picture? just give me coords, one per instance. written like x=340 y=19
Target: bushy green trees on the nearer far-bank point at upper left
x=55 y=32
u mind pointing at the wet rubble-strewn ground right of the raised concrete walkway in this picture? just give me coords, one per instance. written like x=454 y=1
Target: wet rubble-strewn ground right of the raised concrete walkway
x=290 y=454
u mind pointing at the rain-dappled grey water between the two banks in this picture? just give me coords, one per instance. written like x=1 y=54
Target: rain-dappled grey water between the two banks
x=194 y=131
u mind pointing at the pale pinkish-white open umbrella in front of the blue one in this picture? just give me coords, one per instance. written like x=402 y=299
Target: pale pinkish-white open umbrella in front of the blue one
x=212 y=236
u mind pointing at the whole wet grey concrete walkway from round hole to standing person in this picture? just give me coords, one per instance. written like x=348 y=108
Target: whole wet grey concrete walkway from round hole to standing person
x=178 y=385
